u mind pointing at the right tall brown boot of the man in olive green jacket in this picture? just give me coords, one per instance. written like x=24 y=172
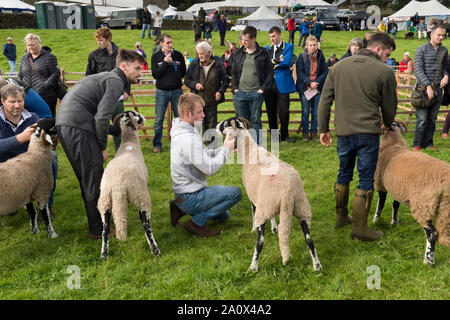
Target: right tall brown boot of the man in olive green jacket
x=361 y=208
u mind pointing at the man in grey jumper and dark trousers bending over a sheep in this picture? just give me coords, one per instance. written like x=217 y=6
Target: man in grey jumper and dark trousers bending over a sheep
x=83 y=125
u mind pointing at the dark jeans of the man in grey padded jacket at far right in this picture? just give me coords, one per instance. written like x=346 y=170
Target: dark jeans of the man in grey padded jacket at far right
x=426 y=124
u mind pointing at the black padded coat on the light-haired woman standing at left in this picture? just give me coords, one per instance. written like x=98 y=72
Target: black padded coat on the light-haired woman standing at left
x=47 y=65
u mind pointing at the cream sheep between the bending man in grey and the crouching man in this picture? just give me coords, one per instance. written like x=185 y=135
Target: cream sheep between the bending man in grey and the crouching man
x=125 y=180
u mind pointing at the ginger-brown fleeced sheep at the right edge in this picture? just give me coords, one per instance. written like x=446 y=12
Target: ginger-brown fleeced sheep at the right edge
x=417 y=180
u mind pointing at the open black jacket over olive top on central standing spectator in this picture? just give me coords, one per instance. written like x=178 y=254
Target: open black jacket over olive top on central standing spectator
x=263 y=63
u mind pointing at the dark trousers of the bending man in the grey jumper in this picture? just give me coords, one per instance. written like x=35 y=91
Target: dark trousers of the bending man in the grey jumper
x=85 y=156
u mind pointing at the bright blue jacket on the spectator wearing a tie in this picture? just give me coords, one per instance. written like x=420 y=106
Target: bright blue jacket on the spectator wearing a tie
x=282 y=70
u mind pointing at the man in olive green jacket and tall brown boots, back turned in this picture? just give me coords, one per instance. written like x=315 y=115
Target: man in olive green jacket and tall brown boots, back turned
x=361 y=86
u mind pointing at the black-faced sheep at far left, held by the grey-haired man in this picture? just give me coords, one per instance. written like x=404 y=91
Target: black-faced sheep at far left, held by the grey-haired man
x=28 y=177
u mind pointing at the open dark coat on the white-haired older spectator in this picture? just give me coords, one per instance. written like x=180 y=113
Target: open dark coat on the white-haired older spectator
x=193 y=76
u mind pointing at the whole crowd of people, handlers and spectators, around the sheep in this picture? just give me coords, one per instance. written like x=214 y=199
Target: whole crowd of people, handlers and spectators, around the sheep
x=257 y=74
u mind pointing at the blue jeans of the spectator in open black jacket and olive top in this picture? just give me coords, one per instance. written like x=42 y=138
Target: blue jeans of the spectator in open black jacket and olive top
x=248 y=105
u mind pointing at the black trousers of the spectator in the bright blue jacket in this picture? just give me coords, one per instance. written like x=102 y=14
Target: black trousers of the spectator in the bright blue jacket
x=278 y=102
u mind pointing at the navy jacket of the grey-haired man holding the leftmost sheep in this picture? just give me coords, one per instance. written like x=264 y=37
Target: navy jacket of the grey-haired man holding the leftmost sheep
x=9 y=146
